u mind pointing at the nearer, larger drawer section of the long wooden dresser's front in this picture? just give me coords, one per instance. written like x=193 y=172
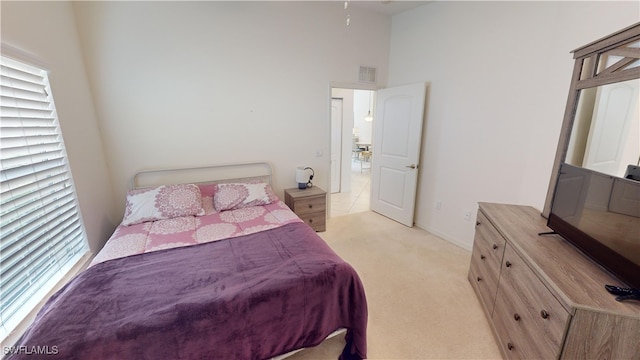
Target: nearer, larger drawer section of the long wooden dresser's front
x=529 y=320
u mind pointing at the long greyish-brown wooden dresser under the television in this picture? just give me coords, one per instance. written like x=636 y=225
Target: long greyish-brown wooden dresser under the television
x=543 y=298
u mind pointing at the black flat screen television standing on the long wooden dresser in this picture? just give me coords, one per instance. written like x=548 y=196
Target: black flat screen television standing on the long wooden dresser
x=600 y=215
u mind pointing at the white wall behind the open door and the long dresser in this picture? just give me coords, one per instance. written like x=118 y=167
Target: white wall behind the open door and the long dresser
x=499 y=75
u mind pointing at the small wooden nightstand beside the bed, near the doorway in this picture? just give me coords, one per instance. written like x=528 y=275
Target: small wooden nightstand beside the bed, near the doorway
x=309 y=204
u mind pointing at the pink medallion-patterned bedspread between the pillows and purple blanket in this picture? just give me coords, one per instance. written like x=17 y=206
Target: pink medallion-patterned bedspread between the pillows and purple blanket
x=191 y=230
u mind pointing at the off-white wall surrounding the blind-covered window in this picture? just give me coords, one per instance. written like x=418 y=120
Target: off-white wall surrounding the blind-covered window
x=46 y=33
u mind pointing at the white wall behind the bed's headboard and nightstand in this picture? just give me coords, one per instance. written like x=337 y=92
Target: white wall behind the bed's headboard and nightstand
x=194 y=83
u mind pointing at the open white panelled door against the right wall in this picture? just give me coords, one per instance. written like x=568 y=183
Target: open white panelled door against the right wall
x=397 y=134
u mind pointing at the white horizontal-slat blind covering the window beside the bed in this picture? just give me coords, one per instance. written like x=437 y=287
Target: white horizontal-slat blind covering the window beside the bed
x=41 y=232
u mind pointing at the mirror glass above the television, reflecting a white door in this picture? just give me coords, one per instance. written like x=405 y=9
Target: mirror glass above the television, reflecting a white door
x=605 y=136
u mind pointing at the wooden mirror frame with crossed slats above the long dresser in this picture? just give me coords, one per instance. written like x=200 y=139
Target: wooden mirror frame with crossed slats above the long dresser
x=588 y=72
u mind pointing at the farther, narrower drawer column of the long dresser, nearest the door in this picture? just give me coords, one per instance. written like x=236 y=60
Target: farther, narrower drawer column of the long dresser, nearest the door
x=486 y=258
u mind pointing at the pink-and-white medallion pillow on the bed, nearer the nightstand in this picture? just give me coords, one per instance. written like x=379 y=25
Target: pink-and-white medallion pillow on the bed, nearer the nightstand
x=240 y=195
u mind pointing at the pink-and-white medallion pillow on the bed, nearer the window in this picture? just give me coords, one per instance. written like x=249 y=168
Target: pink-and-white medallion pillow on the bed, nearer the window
x=162 y=202
